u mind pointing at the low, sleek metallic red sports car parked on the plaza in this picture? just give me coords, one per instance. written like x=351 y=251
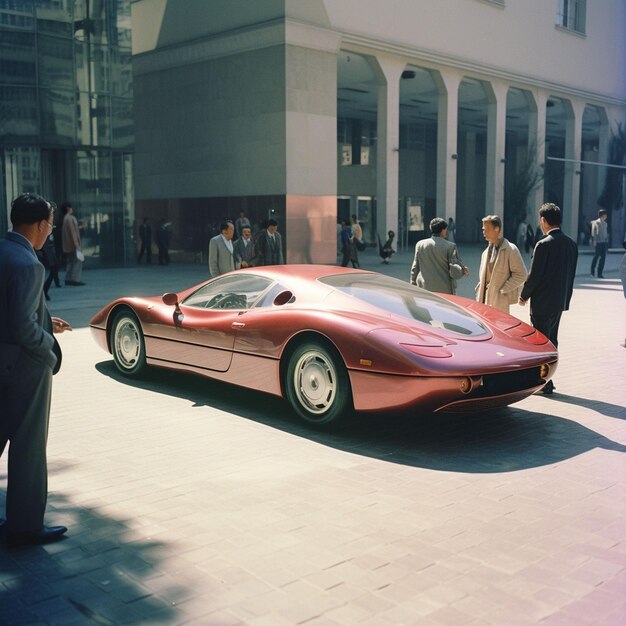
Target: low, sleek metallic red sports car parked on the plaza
x=332 y=340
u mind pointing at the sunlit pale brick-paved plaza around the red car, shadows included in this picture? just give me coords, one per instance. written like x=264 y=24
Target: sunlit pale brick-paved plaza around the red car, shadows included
x=192 y=502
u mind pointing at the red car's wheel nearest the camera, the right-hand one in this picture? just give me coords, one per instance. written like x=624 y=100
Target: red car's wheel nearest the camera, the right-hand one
x=317 y=384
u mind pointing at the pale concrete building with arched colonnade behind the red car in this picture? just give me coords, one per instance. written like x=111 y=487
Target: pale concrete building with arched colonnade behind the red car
x=397 y=111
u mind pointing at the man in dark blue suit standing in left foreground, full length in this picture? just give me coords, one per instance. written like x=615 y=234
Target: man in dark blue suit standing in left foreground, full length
x=29 y=355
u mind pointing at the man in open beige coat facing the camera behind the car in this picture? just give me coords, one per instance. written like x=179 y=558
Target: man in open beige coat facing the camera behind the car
x=502 y=271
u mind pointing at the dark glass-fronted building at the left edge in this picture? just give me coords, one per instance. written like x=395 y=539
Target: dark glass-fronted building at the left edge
x=66 y=116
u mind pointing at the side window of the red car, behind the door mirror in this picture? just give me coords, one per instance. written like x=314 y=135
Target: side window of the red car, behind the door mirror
x=230 y=292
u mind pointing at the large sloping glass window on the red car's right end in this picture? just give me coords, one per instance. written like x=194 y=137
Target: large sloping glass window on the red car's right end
x=399 y=298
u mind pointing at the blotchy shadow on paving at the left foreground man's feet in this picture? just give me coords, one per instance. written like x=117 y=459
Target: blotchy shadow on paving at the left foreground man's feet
x=98 y=574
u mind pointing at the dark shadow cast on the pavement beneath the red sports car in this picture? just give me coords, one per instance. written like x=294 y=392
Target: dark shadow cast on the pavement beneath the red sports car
x=503 y=440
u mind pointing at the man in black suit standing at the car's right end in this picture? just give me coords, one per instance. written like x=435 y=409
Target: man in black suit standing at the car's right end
x=550 y=283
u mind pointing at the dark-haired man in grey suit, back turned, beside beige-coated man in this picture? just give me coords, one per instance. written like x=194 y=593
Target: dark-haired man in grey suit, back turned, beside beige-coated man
x=437 y=265
